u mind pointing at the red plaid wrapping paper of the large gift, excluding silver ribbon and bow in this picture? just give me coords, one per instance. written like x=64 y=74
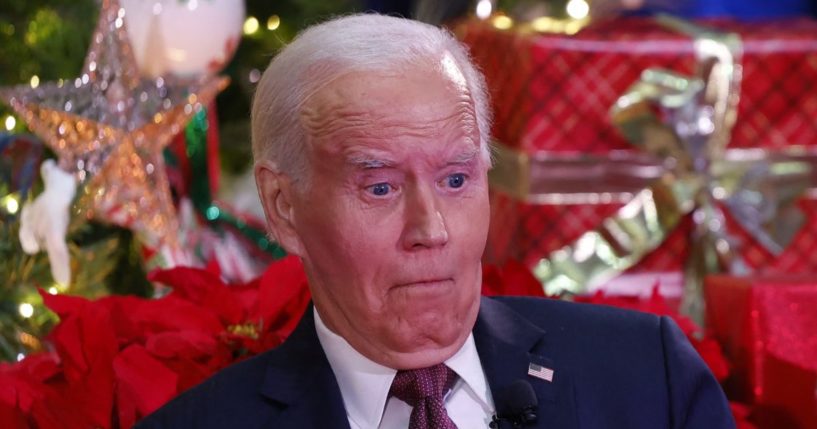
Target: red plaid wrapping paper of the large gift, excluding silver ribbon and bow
x=552 y=95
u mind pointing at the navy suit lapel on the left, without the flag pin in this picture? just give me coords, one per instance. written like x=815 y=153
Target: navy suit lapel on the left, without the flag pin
x=300 y=381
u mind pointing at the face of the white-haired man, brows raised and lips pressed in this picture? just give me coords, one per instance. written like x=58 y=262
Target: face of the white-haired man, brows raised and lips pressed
x=394 y=219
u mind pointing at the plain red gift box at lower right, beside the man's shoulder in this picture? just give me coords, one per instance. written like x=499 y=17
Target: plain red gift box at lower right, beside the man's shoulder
x=768 y=329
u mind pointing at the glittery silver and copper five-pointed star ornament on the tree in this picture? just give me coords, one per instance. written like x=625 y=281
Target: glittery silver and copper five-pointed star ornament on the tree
x=109 y=127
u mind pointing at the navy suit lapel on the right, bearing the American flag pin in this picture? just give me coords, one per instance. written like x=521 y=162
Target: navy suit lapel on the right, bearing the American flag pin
x=507 y=345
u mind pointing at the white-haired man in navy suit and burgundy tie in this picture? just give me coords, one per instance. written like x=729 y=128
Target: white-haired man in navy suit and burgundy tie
x=371 y=141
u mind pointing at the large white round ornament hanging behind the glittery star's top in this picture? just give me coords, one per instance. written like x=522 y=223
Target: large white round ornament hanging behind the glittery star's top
x=183 y=37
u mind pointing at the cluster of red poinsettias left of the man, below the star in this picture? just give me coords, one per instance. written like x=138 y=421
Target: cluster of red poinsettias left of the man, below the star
x=119 y=358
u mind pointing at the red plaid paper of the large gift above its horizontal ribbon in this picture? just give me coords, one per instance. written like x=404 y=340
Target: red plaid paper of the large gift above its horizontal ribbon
x=553 y=92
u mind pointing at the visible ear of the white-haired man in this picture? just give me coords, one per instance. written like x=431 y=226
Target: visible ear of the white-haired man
x=276 y=193
